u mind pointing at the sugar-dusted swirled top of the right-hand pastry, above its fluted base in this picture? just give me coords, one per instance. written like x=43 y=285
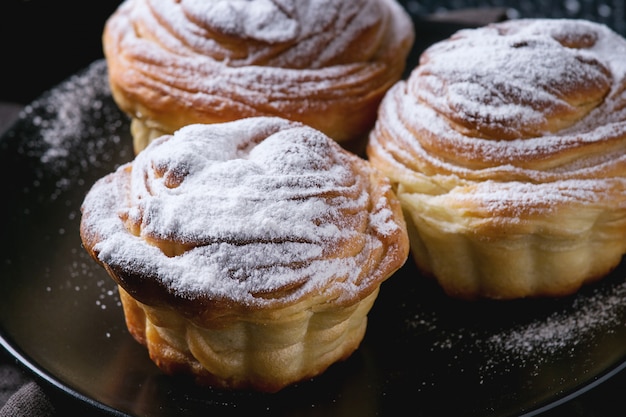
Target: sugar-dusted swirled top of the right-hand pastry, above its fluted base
x=534 y=101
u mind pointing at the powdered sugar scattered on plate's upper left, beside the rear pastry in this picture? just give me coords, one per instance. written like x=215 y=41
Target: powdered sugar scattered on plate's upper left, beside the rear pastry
x=76 y=128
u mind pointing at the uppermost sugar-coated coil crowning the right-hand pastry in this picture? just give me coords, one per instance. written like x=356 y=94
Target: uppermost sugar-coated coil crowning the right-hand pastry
x=520 y=80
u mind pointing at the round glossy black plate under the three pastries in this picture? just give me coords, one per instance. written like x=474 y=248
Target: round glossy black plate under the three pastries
x=60 y=313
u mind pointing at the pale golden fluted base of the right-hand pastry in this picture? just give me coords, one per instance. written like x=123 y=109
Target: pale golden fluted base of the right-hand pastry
x=551 y=256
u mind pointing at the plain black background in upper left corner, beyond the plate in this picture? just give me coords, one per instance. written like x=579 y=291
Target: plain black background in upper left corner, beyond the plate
x=45 y=41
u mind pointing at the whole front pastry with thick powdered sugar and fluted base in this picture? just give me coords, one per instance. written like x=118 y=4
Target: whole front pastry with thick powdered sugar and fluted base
x=247 y=253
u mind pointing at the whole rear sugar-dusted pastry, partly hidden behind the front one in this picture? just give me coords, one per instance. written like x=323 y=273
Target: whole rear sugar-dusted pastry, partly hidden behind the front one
x=324 y=63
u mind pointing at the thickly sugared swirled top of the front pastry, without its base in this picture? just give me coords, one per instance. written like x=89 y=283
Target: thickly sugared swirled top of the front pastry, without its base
x=256 y=213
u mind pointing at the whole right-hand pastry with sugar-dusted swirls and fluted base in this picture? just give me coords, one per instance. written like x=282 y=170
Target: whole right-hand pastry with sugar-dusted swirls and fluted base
x=507 y=145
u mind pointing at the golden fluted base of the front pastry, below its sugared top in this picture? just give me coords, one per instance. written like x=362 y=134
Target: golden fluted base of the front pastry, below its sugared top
x=265 y=350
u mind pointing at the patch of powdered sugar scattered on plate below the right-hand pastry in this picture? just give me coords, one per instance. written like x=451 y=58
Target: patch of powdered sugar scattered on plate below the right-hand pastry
x=561 y=334
